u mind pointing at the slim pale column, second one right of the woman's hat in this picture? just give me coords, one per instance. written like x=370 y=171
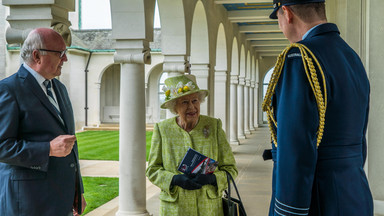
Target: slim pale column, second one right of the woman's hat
x=233 y=139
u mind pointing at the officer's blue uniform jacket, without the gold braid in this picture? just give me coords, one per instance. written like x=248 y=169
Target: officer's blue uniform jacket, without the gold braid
x=330 y=180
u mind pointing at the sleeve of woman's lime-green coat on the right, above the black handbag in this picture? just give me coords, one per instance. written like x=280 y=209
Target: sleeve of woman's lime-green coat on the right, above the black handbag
x=226 y=161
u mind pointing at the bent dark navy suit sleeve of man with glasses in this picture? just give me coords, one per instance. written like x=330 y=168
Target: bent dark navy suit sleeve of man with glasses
x=14 y=150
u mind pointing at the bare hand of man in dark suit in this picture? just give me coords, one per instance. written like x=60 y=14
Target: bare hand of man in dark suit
x=62 y=145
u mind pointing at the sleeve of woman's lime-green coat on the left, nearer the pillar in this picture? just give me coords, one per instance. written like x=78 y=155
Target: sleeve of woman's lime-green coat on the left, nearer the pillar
x=155 y=171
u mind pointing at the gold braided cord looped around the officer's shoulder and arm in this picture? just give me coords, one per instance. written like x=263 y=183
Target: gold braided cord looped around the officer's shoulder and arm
x=308 y=58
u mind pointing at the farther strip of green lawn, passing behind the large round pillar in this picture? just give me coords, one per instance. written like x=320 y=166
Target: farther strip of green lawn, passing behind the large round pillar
x=103 y=145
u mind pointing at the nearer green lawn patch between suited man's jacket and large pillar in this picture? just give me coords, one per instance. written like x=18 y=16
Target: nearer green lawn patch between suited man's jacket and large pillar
x=99 y=190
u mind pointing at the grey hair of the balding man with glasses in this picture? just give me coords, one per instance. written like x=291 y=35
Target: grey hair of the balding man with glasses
x=34 y=41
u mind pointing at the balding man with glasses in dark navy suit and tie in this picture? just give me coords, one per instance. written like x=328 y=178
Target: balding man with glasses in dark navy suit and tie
x=39 y=166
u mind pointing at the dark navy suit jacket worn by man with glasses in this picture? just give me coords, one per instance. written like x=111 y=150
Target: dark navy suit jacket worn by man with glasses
x=31 y=182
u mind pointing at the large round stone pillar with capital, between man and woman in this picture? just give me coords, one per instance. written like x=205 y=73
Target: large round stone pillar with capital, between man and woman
x=132 y=184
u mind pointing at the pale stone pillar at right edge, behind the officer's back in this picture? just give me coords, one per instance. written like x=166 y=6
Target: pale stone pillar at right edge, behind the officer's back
x=375 y=135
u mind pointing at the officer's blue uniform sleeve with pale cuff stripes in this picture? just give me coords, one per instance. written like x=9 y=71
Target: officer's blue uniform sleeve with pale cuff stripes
x=297 y=119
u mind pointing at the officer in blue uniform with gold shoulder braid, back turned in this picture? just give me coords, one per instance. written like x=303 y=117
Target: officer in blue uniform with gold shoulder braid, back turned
x=317 y=103
